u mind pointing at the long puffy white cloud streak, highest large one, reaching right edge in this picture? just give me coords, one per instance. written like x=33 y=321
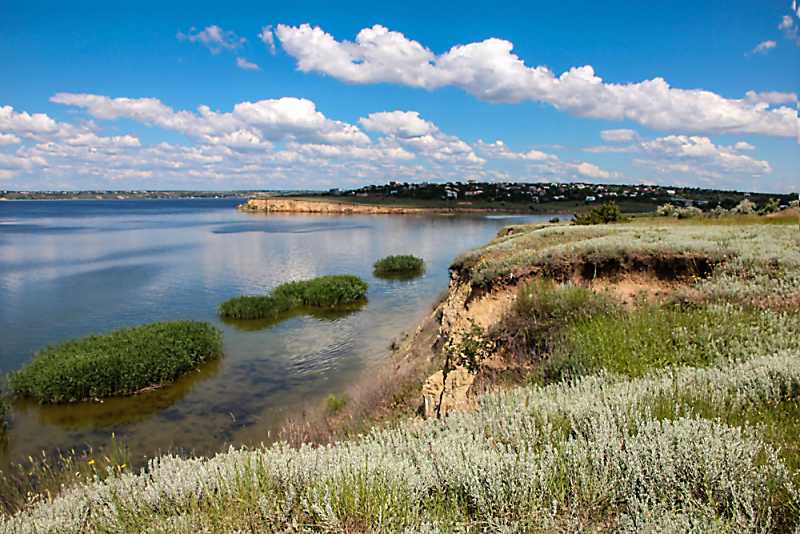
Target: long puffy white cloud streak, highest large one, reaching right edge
x=490 y=71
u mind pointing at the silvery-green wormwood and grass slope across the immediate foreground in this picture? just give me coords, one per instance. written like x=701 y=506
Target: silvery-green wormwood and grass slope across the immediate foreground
x=600 y=452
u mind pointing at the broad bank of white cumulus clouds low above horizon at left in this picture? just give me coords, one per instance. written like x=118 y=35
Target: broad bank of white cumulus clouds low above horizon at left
x=283 y=142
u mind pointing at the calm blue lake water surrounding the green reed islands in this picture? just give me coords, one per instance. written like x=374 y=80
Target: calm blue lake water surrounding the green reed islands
x=72 y=268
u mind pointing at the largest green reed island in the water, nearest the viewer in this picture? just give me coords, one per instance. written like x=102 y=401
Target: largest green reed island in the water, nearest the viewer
x=120 y=363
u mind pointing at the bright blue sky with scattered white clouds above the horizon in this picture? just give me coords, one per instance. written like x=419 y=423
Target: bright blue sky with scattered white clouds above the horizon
x=316 y=95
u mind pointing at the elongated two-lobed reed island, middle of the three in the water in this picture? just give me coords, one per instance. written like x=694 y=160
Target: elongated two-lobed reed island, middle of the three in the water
x=321 y=292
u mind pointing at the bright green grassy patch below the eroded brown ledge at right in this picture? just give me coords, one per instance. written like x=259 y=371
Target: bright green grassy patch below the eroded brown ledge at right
x=636 y=341
